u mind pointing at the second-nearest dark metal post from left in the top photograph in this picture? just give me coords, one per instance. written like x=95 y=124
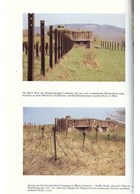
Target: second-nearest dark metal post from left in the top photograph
x=42 y=36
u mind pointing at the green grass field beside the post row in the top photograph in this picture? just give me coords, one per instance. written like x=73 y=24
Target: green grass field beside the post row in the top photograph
x=82 y=64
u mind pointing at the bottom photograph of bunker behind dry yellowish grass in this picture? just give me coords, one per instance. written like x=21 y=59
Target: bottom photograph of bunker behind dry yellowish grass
x=74 y=141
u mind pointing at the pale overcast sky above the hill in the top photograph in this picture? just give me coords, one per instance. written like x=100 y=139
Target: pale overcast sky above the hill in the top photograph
x=52 y=19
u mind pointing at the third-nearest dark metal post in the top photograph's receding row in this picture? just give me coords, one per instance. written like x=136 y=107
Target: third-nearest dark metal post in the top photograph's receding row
x=51 y=46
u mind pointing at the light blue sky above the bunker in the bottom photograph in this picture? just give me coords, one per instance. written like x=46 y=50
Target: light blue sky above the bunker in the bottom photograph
x=44 y=115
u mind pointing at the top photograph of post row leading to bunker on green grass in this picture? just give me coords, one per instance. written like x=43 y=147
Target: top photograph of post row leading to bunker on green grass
x=73 y=47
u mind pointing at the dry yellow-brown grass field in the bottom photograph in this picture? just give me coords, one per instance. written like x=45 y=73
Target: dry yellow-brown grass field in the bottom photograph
x=101 y=158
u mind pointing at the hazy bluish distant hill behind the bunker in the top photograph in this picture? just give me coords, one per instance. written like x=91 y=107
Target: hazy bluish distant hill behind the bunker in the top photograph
x=105 y=32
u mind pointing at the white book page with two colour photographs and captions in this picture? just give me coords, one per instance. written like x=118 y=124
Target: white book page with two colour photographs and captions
x=70 y=107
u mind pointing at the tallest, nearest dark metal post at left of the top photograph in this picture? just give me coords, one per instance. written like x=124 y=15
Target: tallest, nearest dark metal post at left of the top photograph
x=30 y=47
